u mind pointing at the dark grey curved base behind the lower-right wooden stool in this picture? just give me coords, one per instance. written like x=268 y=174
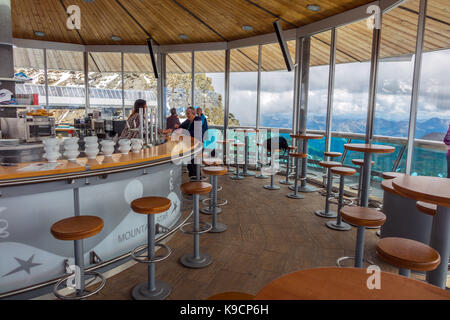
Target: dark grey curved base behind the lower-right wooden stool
x=403 y=219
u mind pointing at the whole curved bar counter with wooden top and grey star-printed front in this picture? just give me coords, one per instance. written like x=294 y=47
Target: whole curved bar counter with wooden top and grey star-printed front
x=35 y=195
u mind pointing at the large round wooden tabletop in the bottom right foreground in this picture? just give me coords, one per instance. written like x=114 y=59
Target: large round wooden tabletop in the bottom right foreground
x=348 y=284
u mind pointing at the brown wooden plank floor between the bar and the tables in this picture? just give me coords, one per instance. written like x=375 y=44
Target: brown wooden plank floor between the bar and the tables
x=268 y=235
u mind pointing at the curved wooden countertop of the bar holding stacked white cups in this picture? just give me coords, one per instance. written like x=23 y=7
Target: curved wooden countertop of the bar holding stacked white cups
x=152 y=155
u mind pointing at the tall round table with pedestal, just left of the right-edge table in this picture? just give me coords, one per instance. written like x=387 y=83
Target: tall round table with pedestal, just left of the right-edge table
x=368 y=149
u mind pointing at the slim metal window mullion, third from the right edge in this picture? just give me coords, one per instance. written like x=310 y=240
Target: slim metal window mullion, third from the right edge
x=331 y=78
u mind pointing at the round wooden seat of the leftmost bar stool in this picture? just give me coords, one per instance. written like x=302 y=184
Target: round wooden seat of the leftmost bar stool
x=77 y=228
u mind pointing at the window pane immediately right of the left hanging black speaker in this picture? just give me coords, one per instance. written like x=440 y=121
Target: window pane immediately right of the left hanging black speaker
x=179 y=82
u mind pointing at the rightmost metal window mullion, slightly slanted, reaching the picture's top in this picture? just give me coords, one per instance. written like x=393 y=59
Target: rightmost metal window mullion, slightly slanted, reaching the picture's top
x=416 y=85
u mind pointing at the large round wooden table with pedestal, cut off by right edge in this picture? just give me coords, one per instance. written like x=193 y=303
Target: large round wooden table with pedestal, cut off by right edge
x=437 y=191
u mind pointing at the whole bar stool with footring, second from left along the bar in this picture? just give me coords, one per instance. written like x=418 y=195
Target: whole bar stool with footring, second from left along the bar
x=152 y=289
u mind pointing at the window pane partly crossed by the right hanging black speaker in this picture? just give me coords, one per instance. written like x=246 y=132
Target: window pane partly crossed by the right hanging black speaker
x=277 y=87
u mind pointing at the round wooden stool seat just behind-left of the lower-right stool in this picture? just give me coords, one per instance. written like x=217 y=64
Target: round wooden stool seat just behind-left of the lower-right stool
x=363 y=217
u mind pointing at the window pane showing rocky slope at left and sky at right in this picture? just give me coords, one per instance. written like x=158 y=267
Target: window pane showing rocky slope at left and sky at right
x=210 y=85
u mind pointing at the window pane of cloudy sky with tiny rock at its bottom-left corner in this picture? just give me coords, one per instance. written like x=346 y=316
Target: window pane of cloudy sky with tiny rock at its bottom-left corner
x=243 y=86
